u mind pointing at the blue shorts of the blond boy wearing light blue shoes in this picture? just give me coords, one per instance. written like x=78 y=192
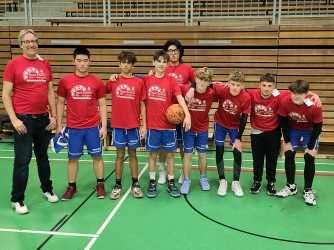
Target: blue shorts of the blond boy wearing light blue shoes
x=194 y=139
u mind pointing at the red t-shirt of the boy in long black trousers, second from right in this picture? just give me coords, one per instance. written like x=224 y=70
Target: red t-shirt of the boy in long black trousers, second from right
x=264 y=115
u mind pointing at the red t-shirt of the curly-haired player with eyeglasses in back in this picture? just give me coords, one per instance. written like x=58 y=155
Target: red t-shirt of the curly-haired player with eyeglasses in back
x=183 y=73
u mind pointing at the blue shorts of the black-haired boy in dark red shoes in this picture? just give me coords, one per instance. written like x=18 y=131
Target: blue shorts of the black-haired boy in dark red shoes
x=77 y=138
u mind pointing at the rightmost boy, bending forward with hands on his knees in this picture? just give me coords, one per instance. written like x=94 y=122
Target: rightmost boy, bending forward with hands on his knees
x=301 y=122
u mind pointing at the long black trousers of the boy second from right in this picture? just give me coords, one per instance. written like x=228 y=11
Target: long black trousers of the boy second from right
x=265 y=146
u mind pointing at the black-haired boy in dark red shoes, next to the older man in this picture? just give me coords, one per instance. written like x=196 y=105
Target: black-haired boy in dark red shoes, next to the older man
x=86 y=108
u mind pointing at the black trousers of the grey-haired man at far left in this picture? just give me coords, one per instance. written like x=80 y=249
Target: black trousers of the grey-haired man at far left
x=23 y=145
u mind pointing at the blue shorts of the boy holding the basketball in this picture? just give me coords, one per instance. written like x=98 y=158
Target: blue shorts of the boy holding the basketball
x=161 y=138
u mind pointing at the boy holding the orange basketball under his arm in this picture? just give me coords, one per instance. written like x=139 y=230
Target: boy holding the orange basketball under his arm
x=160 y=91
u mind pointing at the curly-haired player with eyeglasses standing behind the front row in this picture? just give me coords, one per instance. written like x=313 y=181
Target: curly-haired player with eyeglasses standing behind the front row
x=183 y=74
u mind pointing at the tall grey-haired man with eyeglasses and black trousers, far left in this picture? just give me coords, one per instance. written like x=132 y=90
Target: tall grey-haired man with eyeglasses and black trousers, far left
x=29 y=100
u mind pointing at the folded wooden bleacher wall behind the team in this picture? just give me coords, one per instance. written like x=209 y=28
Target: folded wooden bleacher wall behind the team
x=284 y=51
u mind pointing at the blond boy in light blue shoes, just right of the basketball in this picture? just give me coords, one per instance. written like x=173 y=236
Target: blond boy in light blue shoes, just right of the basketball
x=197 y=136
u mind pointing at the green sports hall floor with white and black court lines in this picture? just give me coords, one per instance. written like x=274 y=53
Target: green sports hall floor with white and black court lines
x=201 y=220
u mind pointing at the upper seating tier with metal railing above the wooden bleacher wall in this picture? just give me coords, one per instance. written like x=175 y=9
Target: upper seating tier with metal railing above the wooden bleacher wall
x=189 y=12
